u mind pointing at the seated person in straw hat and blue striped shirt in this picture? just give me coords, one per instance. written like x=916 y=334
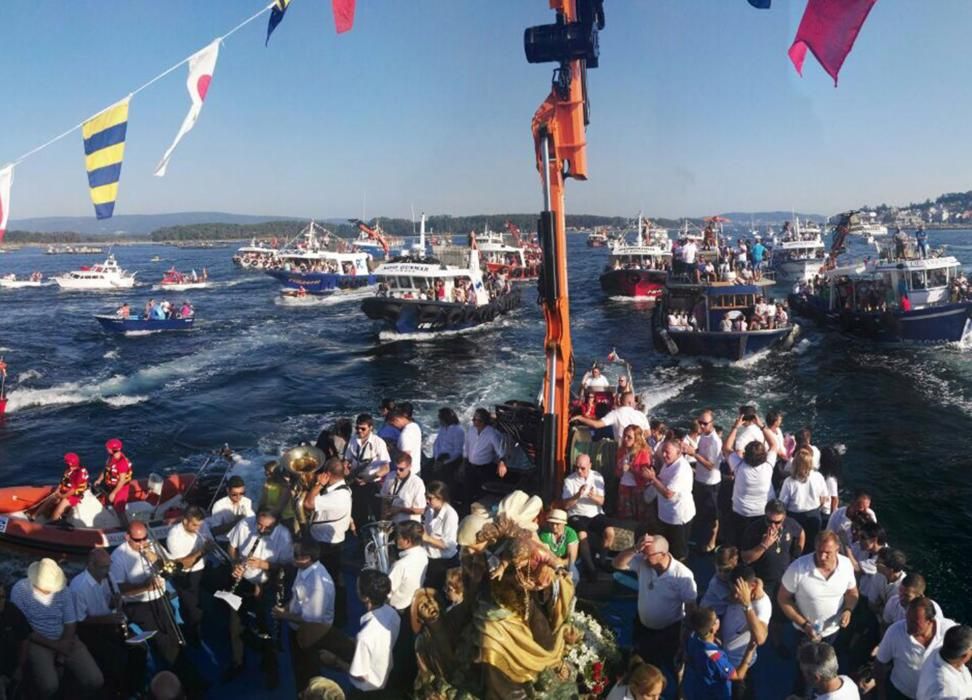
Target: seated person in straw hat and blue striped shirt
x=49 y=609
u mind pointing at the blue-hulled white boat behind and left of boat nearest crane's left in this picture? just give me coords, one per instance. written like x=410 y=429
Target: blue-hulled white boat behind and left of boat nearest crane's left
x=320 y=263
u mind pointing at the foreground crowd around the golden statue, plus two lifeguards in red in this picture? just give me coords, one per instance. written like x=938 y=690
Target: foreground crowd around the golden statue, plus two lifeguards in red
x=448 y=583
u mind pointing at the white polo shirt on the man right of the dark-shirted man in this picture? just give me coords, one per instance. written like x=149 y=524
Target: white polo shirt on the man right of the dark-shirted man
x=819 y=599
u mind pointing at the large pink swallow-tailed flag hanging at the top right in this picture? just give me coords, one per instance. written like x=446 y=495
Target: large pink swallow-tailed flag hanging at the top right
x=829 y=29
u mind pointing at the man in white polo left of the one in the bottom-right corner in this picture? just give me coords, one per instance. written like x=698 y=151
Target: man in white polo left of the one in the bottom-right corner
x=905 y=647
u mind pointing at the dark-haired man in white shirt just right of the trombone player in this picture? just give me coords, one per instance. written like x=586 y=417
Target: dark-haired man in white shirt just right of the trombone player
x=187 y=543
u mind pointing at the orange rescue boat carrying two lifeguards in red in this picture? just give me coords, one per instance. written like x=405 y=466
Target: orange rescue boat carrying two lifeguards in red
x=158 y=502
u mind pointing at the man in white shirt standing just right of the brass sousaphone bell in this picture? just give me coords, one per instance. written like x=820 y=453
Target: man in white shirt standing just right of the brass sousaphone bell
x=330 y=499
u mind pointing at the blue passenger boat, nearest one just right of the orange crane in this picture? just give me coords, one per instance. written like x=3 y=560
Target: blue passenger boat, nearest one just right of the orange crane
x=726 y=320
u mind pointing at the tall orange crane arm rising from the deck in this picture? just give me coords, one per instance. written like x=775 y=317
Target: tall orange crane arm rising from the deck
x=560 y=142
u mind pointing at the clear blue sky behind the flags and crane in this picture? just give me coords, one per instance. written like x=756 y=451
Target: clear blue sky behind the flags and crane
x=426 y=104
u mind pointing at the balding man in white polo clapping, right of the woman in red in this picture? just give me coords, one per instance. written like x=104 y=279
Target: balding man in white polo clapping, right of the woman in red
x=673 y=489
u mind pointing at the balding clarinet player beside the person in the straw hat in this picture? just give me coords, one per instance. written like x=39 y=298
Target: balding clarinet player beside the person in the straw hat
x=101 y=626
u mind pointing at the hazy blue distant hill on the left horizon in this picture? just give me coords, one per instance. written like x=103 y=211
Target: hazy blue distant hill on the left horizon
x=133 y=224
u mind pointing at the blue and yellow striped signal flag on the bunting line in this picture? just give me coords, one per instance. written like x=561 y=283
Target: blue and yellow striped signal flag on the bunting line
x=104 y=149
